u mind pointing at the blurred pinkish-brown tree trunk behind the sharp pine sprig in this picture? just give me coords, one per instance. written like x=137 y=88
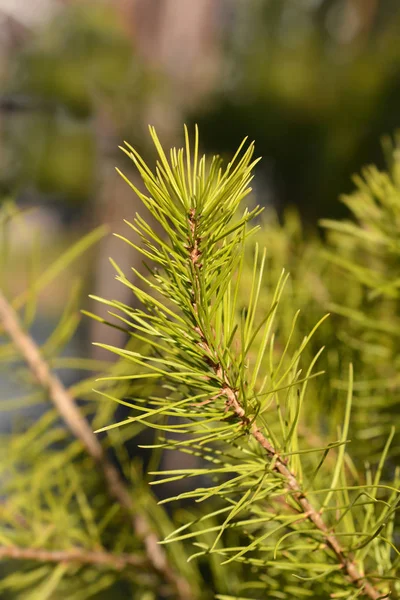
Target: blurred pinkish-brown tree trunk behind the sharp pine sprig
x=177 y=38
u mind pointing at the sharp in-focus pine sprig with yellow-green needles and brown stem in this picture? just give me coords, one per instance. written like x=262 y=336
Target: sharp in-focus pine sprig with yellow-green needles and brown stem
x=235 y=396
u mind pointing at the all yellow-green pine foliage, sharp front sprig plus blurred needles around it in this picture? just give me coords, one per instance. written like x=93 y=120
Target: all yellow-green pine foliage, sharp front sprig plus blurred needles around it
x=237 y=375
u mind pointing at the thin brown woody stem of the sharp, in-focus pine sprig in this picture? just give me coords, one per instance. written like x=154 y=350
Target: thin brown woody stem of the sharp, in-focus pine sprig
x=232 y=403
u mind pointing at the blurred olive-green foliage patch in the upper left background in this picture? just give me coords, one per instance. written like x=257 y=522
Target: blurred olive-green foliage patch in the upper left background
x=54 y=85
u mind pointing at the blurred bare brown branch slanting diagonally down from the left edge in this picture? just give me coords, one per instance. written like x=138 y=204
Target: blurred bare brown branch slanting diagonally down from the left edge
x=68 y=410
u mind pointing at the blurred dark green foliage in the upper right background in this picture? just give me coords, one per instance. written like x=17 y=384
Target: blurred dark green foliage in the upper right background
x=316 y=84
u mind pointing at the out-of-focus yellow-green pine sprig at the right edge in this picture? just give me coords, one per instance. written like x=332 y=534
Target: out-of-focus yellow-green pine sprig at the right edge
x=365 y=251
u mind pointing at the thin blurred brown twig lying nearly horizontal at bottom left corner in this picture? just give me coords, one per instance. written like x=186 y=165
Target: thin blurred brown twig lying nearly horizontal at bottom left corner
x=79 y=556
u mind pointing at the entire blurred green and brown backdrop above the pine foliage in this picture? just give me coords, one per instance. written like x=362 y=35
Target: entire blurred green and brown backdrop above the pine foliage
x=315 y=82
